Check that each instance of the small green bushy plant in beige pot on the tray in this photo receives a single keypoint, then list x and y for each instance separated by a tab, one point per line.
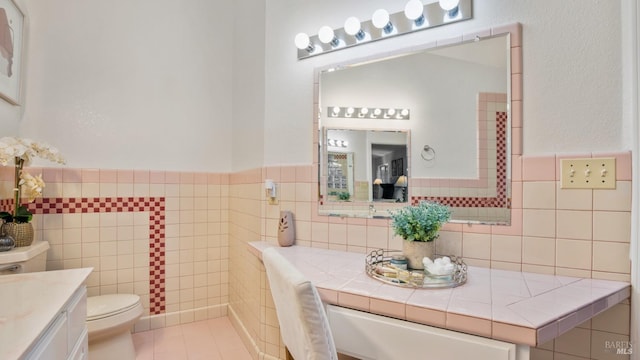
419	225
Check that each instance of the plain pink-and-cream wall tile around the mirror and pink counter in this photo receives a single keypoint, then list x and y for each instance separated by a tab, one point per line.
582	233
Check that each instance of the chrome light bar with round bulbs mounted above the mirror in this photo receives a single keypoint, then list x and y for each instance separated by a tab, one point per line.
407	21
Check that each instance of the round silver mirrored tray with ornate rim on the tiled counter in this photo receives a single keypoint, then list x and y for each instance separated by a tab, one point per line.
378	266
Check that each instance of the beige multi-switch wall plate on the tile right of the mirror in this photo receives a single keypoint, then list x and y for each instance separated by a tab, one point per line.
593	173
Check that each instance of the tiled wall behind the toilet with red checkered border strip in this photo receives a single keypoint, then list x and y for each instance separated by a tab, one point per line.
161	235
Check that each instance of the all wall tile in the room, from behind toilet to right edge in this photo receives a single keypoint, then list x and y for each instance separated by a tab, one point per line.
112	220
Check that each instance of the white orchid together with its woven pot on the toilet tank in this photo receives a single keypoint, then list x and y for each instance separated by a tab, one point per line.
19	151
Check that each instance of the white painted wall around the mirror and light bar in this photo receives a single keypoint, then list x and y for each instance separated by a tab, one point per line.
572	71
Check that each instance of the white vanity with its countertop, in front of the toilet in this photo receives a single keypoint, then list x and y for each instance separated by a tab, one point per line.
45	315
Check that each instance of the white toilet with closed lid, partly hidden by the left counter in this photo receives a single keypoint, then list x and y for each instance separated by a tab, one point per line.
109	317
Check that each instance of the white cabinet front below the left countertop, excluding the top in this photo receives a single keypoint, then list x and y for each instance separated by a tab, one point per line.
66	335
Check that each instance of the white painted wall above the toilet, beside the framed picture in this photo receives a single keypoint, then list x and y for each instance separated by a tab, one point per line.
130	84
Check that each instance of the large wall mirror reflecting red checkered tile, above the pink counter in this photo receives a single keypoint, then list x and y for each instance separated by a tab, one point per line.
458	131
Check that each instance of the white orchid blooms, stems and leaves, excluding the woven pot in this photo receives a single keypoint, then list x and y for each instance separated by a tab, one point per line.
21	151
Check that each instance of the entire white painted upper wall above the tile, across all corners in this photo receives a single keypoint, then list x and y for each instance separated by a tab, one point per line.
148	84
